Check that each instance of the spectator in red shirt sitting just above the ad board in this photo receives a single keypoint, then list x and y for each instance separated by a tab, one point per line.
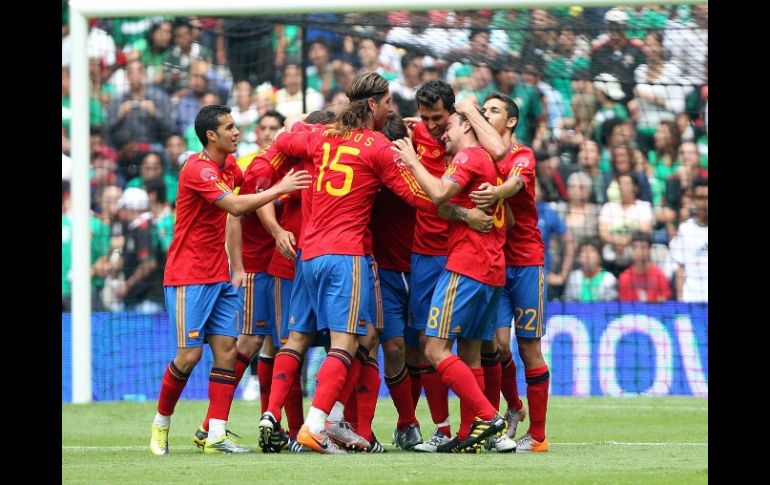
643	280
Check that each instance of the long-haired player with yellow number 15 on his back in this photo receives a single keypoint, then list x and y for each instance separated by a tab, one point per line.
352	161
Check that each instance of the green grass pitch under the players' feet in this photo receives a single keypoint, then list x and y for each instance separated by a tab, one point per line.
593	440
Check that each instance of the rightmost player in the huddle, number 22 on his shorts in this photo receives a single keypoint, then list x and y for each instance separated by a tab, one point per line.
524	295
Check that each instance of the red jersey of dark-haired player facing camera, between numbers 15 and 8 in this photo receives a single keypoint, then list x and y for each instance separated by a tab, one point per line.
430	230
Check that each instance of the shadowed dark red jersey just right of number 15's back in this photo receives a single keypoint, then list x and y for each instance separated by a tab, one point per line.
393	230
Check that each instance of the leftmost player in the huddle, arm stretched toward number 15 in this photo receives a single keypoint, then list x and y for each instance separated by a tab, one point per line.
197	262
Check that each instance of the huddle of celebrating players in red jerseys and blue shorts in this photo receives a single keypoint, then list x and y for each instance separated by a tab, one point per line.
354	232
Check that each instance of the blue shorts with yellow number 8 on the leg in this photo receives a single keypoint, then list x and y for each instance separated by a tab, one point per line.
462	308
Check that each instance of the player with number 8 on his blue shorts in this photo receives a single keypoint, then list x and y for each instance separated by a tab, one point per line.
464	302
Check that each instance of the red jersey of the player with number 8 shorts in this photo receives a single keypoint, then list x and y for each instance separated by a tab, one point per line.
473	254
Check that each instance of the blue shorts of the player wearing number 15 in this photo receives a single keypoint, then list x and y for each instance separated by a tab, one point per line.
340	291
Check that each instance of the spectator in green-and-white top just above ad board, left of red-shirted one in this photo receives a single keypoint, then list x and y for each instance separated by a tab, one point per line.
590	282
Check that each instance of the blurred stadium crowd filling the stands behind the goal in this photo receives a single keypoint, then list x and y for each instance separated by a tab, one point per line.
614	103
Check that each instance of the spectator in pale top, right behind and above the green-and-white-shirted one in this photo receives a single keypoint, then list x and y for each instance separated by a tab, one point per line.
579	214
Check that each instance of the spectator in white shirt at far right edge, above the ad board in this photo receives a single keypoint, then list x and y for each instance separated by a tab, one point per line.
689	249
